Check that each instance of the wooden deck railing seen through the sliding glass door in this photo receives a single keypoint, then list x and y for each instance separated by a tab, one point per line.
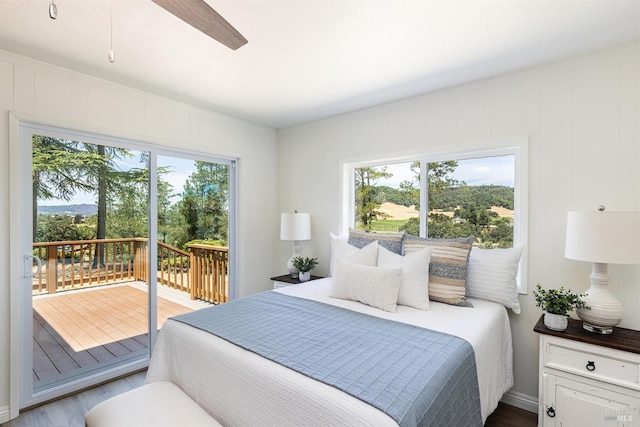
68	265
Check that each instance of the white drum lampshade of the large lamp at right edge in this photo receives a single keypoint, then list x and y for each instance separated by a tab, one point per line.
604	237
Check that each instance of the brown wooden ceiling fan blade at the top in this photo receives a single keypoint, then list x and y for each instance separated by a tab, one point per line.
201	16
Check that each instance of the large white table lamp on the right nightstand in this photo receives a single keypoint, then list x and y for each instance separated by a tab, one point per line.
602	238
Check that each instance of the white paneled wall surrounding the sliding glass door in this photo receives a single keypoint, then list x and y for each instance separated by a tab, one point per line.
47	94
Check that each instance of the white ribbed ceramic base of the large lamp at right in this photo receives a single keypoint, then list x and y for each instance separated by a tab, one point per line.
606	311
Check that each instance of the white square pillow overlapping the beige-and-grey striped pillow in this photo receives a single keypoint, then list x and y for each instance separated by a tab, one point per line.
414	289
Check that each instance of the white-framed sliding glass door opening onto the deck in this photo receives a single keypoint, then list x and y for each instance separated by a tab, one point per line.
94	289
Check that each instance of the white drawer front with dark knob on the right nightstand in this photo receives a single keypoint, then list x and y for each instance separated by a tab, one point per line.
592	362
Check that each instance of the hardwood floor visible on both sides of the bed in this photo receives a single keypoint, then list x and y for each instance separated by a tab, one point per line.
69	412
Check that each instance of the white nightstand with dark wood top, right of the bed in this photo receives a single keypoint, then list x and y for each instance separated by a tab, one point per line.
588	379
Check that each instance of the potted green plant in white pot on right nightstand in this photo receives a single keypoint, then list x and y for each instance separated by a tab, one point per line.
557	303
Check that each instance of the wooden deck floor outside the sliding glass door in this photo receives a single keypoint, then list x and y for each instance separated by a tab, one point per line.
75	332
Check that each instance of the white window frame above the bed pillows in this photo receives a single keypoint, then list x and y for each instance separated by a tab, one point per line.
518	146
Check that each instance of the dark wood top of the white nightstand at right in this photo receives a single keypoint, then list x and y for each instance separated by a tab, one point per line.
621	338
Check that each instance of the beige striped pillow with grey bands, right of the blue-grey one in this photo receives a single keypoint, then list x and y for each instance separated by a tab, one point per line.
447	269
